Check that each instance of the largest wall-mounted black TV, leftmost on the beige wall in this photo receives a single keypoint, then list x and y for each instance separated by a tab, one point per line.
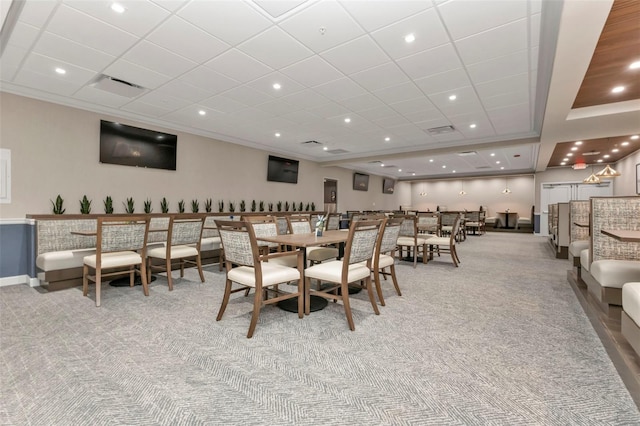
132	146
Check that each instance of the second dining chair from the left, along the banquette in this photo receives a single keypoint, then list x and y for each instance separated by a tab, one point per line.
183	245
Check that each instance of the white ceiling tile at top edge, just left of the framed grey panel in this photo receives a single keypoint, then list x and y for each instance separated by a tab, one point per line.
215	17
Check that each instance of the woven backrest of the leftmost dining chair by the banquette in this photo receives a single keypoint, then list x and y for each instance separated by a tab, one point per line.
116	234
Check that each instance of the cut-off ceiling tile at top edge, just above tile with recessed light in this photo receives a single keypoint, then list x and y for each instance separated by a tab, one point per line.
376	14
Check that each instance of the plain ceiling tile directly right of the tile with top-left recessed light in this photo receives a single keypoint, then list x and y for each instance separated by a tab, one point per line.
200	47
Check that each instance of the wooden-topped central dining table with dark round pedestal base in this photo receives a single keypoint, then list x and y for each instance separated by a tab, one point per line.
303	241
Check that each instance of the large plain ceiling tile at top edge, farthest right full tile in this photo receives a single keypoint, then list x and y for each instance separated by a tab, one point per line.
464	18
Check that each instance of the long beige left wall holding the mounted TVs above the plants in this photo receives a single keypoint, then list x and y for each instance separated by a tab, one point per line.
55	150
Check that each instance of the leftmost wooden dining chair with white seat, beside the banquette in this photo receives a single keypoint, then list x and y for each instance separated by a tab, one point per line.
120	247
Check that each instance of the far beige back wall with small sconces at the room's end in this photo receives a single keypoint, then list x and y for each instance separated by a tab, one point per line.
480	191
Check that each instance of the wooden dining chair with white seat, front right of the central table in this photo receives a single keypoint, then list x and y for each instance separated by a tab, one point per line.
354	267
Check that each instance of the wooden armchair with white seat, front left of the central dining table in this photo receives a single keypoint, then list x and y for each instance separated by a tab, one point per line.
248	267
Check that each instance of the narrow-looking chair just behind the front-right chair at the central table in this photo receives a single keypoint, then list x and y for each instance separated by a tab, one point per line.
384	255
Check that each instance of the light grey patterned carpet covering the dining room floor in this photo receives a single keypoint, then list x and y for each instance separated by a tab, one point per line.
501	340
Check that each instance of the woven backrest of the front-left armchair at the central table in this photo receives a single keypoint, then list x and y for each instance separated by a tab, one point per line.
236	243
